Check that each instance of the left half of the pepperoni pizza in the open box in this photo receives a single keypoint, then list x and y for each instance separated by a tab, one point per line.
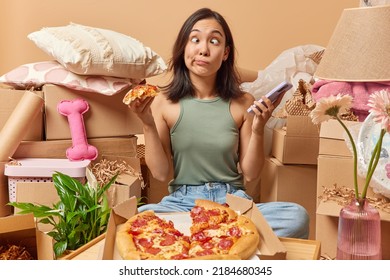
146	236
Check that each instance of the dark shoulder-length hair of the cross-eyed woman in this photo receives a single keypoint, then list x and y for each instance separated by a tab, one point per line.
227	83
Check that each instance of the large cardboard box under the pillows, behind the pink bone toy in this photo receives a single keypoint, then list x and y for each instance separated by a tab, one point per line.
107	115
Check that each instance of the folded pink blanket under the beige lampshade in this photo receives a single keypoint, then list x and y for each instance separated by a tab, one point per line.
360	91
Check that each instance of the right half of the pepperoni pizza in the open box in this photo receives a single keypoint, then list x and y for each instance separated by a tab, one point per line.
219	231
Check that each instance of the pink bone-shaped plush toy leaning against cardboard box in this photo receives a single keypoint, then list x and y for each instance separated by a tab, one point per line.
74	110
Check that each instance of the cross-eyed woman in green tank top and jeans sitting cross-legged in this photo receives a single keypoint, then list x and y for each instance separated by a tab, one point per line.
199	127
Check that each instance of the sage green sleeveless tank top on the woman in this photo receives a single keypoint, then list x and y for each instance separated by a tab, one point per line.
205	142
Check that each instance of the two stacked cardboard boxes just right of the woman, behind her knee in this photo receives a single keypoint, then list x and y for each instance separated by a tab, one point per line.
290	173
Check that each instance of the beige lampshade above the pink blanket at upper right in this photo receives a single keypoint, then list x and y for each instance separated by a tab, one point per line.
359	49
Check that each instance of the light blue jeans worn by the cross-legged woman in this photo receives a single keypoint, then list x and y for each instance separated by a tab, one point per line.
287	219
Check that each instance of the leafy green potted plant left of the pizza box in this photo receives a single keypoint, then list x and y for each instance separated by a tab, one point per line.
78	217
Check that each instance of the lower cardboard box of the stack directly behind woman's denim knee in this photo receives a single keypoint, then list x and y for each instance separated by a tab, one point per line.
290	183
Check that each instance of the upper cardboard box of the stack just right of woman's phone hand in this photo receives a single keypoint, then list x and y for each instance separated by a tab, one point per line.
297	142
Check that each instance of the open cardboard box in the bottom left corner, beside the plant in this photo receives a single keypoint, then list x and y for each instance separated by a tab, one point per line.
19	230
